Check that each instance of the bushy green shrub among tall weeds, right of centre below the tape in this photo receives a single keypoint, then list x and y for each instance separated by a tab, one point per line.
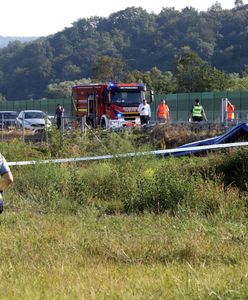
163	189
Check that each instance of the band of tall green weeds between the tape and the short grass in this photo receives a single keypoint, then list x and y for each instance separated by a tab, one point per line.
137	185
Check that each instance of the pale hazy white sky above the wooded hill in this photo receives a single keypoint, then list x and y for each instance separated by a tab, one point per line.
44	17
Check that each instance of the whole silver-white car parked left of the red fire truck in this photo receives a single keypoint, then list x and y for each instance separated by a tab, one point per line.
32	120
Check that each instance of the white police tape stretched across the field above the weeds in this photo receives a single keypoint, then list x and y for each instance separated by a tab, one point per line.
155	152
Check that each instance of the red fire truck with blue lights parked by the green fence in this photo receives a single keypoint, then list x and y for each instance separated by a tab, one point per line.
110	105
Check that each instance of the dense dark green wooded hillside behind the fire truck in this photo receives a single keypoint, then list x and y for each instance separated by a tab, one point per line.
173	51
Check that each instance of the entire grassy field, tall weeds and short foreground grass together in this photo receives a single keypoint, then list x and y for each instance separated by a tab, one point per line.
142	228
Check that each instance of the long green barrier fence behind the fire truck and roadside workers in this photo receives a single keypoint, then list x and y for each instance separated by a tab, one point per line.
179	104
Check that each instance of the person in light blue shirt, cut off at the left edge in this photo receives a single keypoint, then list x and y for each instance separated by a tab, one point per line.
6	179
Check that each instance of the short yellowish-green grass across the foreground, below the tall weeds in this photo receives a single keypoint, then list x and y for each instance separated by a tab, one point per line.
85	256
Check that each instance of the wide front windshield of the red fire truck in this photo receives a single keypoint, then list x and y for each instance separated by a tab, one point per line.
124	98
